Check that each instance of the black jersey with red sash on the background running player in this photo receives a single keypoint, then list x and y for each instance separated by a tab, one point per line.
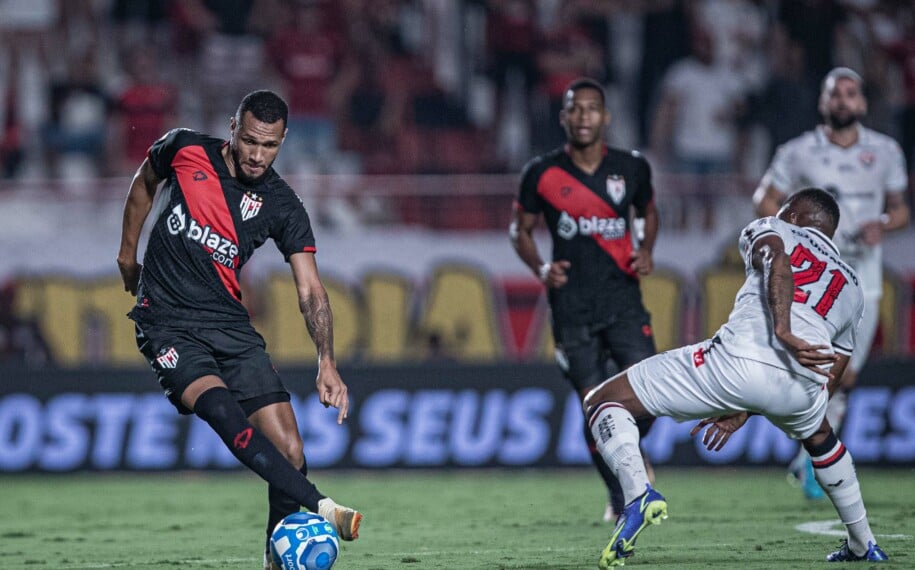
588	218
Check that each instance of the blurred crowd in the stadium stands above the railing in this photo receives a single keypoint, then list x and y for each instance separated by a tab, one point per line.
432	86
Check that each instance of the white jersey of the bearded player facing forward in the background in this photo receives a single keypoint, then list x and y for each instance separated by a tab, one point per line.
859	176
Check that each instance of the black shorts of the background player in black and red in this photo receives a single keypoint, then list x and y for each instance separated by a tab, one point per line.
589	354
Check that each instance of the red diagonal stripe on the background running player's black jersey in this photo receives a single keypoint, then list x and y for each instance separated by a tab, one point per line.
582	202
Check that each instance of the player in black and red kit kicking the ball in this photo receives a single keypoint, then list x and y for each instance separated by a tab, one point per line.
222	201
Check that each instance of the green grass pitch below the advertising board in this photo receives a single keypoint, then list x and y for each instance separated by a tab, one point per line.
719	518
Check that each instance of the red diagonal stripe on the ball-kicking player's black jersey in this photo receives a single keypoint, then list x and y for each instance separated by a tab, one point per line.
207	205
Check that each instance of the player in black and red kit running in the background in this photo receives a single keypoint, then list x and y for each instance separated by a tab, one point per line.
585	191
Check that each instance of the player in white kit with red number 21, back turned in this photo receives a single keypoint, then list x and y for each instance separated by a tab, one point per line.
781	354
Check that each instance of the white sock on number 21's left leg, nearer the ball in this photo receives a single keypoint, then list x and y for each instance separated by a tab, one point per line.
617	439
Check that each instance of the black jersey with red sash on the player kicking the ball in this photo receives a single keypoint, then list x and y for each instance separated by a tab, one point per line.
209	227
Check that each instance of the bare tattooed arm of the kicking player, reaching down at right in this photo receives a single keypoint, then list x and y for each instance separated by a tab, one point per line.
315	308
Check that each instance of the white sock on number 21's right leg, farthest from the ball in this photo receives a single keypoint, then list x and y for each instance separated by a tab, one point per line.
835	472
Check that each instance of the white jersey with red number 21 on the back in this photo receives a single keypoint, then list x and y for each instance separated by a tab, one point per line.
828	301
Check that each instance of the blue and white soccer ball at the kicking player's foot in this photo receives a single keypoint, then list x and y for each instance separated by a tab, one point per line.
304	541
